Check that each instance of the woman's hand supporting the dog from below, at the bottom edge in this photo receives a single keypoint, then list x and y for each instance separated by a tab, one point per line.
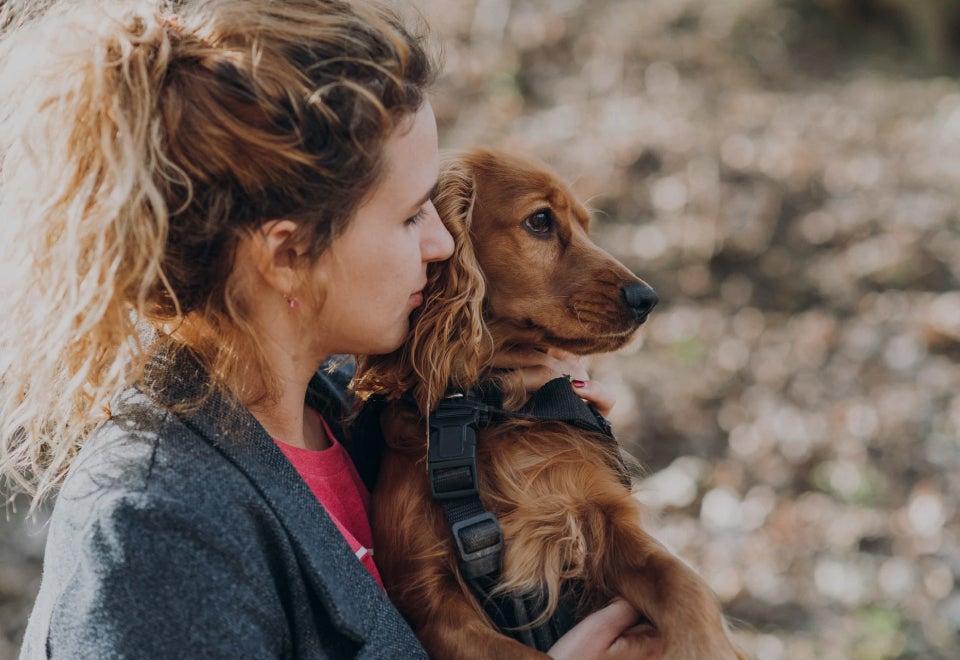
612	632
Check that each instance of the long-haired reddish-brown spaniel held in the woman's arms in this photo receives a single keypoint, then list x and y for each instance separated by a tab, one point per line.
524	275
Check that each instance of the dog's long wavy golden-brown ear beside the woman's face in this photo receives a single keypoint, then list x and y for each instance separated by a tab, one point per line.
449	345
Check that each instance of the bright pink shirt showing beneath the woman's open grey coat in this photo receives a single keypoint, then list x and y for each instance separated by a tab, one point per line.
332	477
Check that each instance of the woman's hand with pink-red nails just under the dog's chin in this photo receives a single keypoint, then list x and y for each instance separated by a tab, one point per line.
536	368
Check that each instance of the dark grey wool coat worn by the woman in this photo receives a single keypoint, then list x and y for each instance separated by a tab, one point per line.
189	535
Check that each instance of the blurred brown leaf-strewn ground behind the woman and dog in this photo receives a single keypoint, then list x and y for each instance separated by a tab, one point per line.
785	173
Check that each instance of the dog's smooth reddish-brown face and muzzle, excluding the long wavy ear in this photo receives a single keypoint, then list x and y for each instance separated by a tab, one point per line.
547	283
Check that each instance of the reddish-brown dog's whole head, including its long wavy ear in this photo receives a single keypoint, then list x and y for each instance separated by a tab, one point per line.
524	274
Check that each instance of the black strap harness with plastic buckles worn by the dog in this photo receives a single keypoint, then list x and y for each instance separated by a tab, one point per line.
452	472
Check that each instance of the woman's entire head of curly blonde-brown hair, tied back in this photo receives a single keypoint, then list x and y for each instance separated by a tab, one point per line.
136	148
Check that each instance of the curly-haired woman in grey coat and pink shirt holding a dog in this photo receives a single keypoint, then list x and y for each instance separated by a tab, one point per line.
199	209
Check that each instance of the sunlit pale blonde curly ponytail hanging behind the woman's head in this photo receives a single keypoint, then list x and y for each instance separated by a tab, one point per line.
83	226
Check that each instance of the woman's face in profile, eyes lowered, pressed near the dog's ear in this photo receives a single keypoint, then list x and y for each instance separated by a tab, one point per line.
373	273
